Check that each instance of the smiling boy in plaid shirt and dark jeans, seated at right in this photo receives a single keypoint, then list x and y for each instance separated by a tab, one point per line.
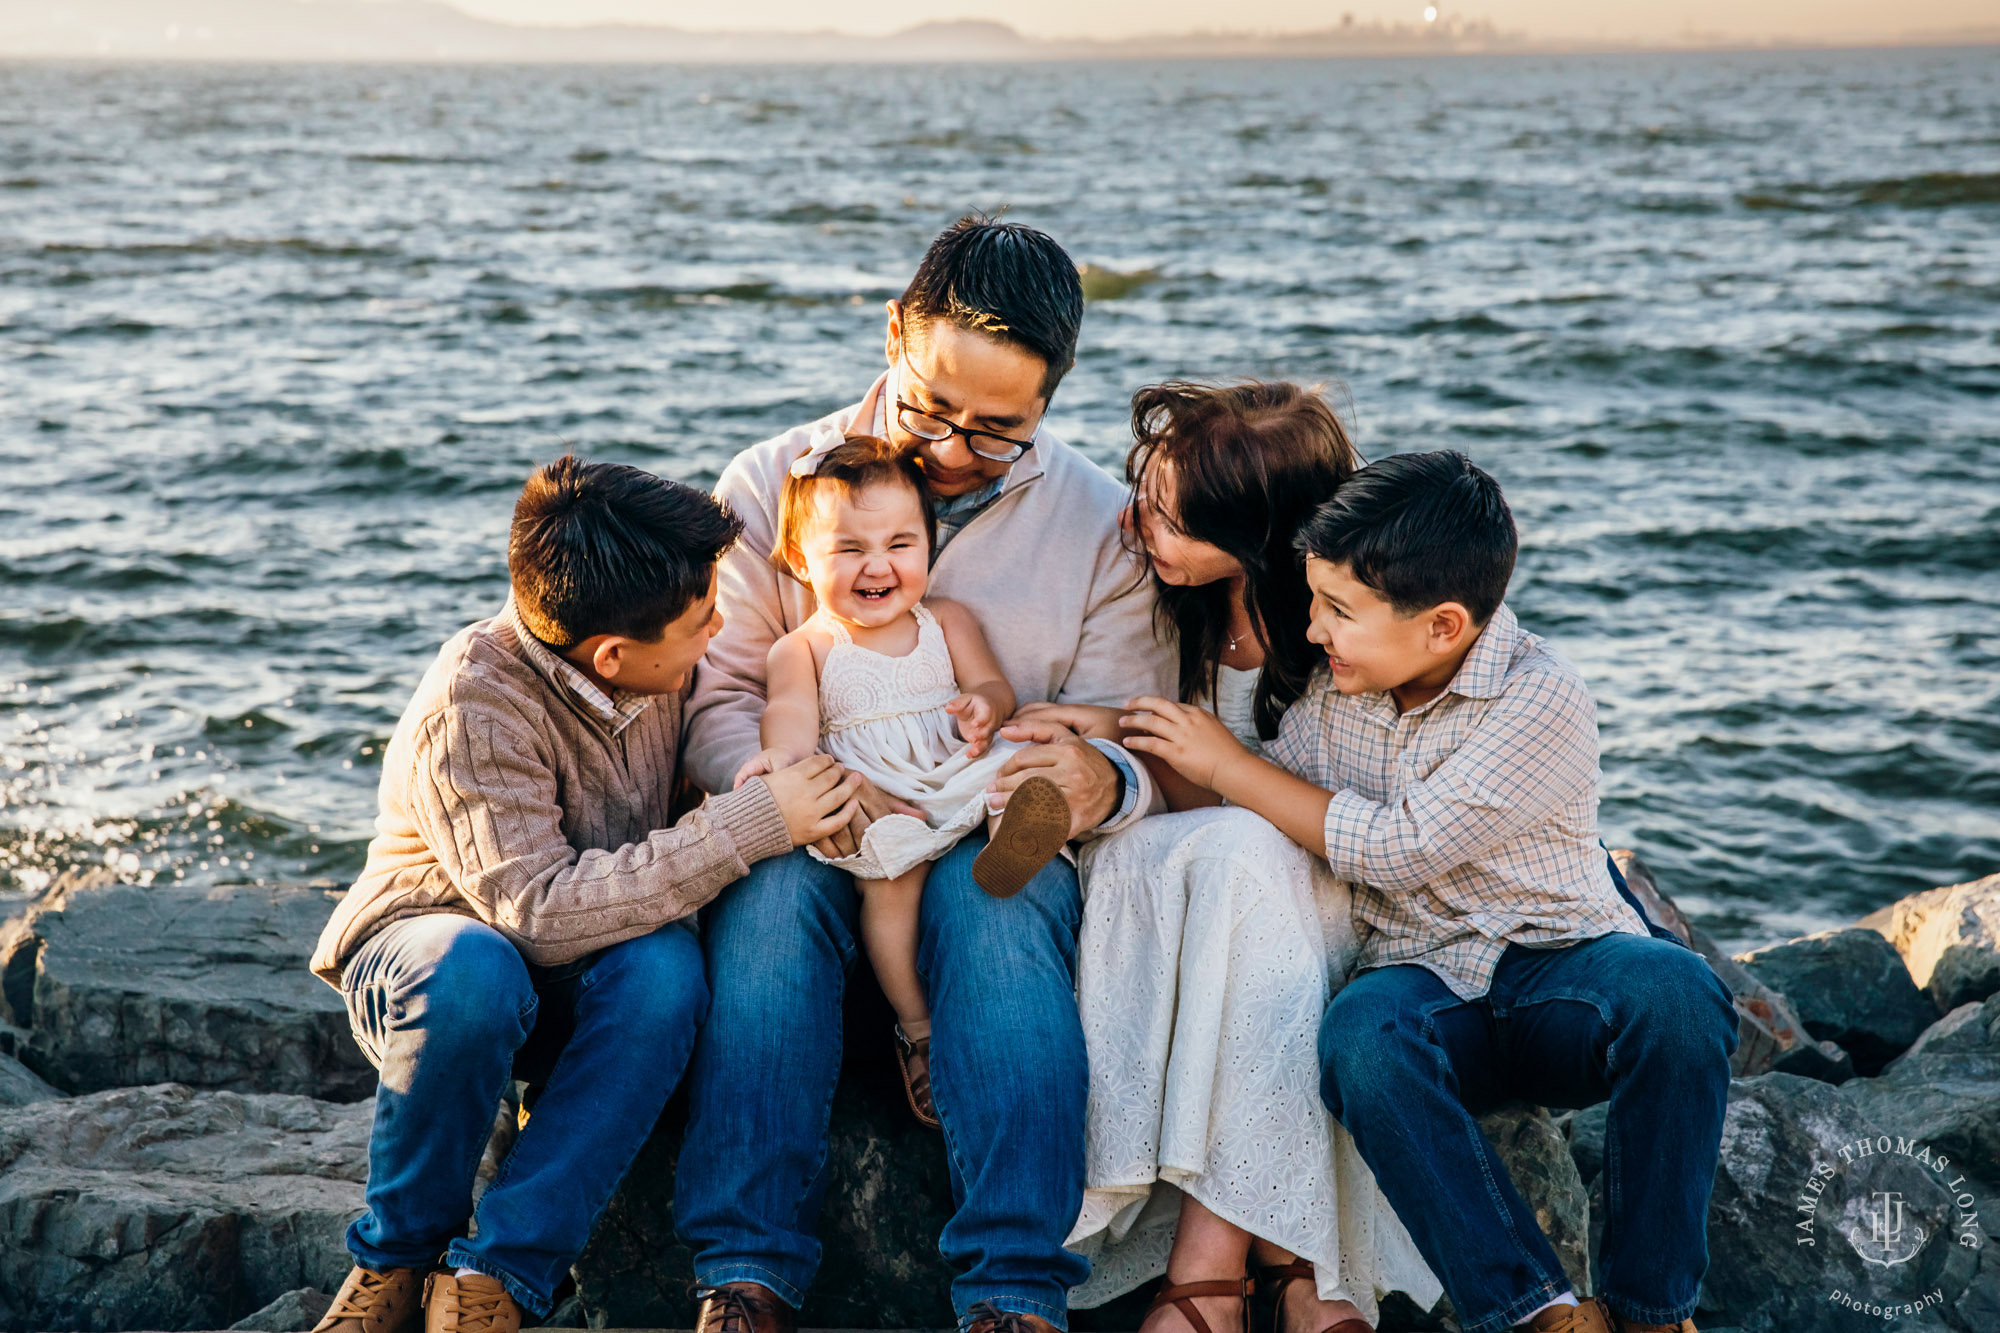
1447	764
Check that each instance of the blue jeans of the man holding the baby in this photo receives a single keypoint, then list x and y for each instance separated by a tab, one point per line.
1007	1074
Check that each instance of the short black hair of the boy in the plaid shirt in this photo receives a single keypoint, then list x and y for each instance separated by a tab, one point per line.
1421	529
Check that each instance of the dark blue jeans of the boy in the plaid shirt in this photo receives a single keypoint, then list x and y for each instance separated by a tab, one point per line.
1407	1066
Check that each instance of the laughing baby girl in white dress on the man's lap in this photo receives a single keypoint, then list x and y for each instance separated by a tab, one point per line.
907	694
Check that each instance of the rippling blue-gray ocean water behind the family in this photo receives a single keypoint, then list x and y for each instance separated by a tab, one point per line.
279	345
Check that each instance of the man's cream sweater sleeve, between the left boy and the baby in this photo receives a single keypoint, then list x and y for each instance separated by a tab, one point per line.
729	686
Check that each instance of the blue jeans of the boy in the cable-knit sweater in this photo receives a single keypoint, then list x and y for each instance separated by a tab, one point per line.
449	1014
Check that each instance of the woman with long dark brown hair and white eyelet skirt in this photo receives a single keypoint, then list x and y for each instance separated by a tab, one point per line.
1211	942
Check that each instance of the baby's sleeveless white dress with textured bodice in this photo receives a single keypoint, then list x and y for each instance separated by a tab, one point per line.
885	720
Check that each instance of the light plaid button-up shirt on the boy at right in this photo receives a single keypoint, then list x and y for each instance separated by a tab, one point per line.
1471	822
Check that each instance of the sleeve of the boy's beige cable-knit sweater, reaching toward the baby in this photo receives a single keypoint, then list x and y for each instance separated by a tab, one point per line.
487	806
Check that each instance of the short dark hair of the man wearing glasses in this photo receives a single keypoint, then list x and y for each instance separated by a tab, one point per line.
1007	281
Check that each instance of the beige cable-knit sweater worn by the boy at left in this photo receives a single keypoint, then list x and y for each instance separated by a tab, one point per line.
507	800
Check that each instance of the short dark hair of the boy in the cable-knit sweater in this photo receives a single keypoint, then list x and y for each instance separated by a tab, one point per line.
605	549
